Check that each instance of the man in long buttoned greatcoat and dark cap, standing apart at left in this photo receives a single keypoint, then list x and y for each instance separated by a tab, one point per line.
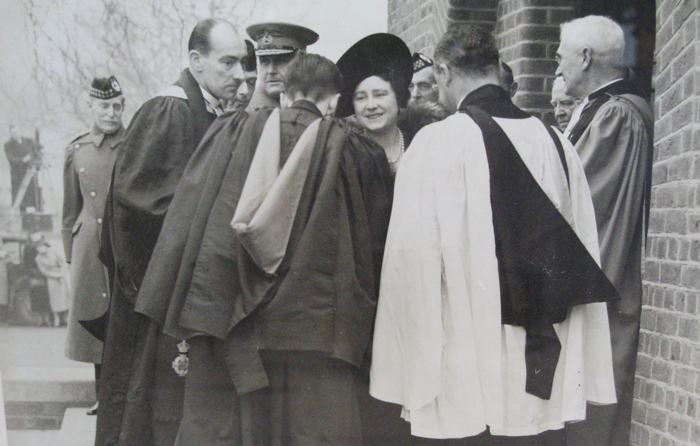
87	170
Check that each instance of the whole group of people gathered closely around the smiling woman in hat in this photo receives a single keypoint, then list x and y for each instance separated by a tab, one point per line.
379	251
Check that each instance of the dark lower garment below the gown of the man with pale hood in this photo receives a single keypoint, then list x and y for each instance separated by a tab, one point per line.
310	401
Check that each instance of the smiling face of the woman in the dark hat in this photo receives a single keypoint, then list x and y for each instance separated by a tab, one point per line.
376	105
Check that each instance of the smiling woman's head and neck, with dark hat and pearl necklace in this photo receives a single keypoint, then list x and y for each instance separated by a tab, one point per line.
376	73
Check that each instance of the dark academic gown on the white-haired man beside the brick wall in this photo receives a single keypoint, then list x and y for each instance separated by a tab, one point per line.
615	143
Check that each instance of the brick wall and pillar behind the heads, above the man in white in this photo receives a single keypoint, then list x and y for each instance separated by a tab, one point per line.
527	33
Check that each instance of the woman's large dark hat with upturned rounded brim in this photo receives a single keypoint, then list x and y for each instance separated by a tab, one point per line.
373	55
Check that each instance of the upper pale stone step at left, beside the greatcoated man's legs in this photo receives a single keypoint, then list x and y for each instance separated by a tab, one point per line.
37	397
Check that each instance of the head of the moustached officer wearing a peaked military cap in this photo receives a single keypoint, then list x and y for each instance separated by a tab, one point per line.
277	44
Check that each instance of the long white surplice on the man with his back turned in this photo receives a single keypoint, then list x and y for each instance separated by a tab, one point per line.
440	349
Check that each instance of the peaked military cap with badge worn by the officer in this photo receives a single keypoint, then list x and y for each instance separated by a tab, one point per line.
276	38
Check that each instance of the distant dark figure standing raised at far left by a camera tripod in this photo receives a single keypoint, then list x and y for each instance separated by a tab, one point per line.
21	152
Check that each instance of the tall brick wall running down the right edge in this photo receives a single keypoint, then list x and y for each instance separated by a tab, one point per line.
667	391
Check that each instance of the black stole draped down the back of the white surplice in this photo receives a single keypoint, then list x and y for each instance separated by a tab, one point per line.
543	266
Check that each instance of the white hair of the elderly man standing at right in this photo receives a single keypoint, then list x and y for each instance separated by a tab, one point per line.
601	35
